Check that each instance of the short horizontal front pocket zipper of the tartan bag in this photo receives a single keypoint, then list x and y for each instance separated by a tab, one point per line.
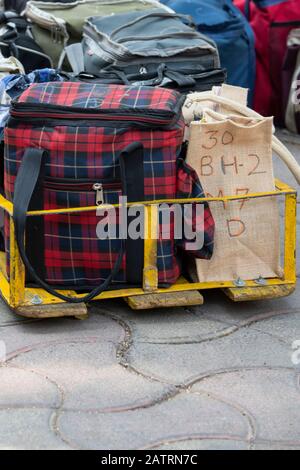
65	185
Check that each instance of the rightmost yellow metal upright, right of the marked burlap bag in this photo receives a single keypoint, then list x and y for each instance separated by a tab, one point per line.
290	268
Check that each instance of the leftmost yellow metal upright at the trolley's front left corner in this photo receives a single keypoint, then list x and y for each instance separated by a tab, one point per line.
17	271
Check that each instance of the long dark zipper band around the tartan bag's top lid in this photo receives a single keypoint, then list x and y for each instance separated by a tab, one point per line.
38	110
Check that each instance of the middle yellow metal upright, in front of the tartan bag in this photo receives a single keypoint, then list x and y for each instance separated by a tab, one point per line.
150	272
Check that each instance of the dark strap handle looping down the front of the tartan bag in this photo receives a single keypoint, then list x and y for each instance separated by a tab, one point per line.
26	182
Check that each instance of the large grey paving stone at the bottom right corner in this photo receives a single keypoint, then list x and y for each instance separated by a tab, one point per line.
270	396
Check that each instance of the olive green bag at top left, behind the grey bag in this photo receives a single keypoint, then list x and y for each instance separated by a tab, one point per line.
56	25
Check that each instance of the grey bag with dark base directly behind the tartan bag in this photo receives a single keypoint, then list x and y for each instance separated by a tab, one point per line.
151	48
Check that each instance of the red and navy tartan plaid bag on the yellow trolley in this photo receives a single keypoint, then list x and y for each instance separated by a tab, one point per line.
80	144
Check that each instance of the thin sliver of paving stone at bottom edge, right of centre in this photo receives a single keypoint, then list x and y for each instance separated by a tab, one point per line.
204	444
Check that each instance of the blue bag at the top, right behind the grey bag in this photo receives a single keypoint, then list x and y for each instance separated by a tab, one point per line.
224	23
